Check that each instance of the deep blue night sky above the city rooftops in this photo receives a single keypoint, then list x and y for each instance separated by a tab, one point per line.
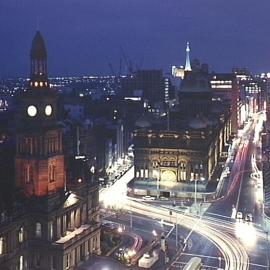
83	36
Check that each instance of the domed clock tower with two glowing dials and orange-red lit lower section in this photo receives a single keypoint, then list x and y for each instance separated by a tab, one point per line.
39	159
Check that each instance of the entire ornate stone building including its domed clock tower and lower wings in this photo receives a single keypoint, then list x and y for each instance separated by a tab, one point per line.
54	223
